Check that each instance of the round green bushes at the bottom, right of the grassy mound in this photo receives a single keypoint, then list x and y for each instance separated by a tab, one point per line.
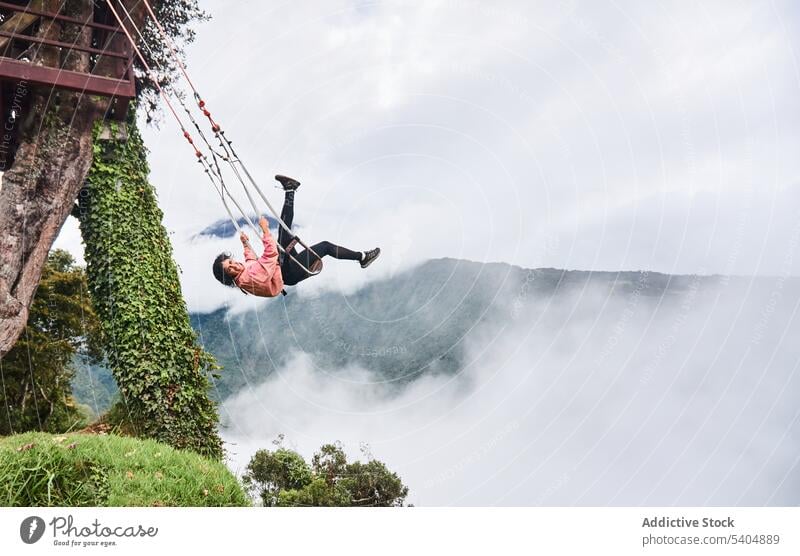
283	478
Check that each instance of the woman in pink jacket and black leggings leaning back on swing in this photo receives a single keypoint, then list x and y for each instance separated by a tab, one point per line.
266	276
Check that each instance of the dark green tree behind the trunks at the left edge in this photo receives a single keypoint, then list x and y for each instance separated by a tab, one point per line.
36	393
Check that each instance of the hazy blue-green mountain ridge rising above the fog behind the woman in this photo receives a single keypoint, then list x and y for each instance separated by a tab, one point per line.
414	323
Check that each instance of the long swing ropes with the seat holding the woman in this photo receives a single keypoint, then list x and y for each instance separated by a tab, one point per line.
230	156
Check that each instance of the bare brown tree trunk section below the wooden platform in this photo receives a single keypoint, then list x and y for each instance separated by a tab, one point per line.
37	194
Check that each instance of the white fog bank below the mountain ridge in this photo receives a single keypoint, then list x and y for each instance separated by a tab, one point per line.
584	399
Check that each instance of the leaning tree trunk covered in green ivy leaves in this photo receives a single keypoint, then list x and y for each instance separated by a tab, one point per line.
162	373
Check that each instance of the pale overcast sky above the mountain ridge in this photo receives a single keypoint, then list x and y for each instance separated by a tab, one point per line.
584	135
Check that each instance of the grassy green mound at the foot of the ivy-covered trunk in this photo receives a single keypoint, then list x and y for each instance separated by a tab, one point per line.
40	469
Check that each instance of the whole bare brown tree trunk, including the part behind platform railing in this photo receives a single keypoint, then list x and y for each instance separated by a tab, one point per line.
53	157
